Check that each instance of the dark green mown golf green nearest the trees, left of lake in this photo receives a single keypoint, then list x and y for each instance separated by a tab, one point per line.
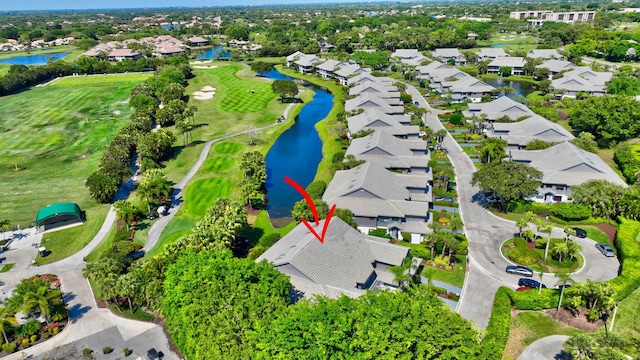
201	194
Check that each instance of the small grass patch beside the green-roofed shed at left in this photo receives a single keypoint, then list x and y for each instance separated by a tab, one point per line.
66	242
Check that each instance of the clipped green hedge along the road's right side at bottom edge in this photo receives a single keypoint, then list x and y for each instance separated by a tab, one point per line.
497	331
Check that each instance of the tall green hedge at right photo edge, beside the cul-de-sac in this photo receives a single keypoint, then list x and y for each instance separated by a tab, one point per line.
629	254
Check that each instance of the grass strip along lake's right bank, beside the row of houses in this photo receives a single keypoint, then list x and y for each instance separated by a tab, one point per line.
330	145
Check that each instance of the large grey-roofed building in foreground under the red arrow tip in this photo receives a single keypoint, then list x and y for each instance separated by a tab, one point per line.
346	263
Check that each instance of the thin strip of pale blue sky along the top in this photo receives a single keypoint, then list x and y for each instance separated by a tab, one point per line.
114	4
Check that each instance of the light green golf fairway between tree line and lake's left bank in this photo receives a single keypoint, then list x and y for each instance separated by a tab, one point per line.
233	109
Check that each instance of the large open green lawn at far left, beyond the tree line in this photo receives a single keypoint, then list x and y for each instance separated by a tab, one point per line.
52	137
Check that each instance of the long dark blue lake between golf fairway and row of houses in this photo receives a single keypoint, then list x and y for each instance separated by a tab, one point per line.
296	153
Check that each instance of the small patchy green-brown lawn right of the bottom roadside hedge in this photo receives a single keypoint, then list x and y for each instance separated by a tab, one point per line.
529	326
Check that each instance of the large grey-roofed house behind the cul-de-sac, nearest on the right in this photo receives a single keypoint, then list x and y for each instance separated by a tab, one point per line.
564	165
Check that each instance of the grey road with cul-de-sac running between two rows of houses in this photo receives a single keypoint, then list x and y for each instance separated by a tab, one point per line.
486	232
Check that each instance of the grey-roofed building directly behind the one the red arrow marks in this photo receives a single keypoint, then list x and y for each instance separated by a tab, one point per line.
380	198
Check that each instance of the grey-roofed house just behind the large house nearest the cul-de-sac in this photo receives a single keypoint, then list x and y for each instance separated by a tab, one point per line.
519	134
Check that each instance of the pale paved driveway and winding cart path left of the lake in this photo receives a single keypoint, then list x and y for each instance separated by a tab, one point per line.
89	325
